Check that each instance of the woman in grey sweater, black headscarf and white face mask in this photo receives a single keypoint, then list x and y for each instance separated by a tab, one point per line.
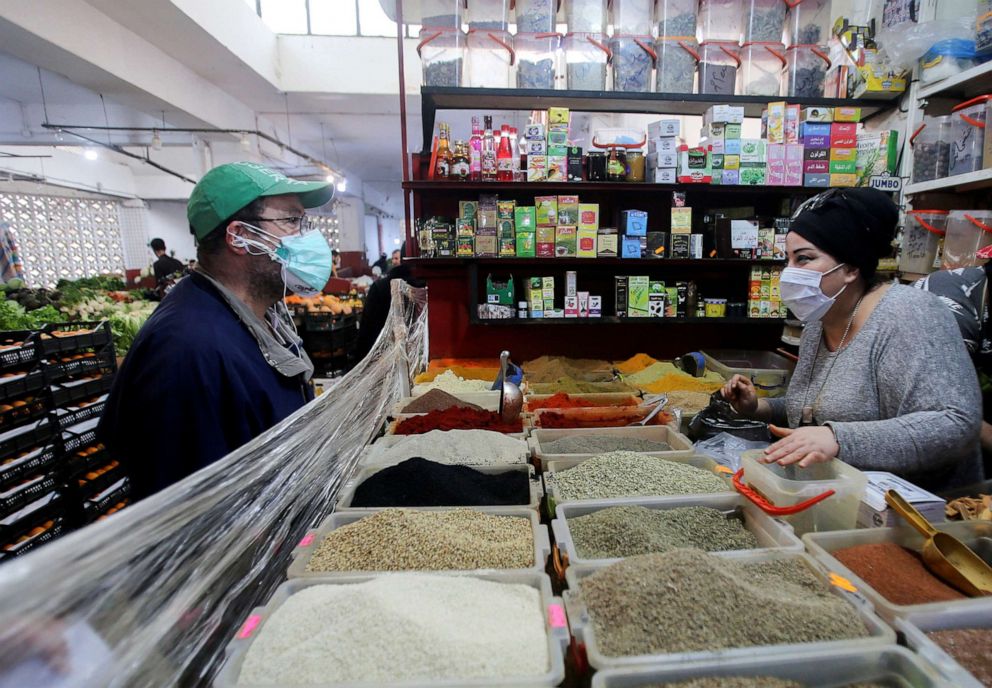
884	381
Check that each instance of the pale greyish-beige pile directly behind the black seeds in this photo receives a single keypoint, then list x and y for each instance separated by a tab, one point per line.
473	447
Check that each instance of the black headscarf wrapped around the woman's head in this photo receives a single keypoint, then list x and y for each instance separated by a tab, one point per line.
855	226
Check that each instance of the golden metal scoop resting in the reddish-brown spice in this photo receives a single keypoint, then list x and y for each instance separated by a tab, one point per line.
947	557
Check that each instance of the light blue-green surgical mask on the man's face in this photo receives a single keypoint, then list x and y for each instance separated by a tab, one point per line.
305	258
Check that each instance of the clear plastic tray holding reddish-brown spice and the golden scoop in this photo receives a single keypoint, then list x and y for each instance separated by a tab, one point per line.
822	545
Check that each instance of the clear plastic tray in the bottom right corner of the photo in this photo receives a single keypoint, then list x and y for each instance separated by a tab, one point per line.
915	627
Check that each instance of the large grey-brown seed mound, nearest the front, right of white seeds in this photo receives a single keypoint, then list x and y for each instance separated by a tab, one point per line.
687	600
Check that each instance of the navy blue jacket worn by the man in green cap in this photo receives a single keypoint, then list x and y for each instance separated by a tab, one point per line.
194	387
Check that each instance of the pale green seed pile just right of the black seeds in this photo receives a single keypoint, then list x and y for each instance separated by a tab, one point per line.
626	474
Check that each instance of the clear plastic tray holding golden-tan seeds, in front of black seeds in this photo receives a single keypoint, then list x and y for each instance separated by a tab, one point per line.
311	541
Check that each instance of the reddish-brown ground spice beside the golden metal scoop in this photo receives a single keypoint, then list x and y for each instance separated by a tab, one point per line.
896	573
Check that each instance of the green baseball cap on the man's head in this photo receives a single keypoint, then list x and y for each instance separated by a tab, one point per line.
226	189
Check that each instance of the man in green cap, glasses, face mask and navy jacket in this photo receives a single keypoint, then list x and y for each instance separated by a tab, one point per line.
219	362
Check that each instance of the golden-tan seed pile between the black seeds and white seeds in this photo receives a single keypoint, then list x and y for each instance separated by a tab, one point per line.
403	540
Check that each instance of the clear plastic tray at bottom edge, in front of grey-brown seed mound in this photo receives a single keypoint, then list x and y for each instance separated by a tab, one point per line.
895	666
